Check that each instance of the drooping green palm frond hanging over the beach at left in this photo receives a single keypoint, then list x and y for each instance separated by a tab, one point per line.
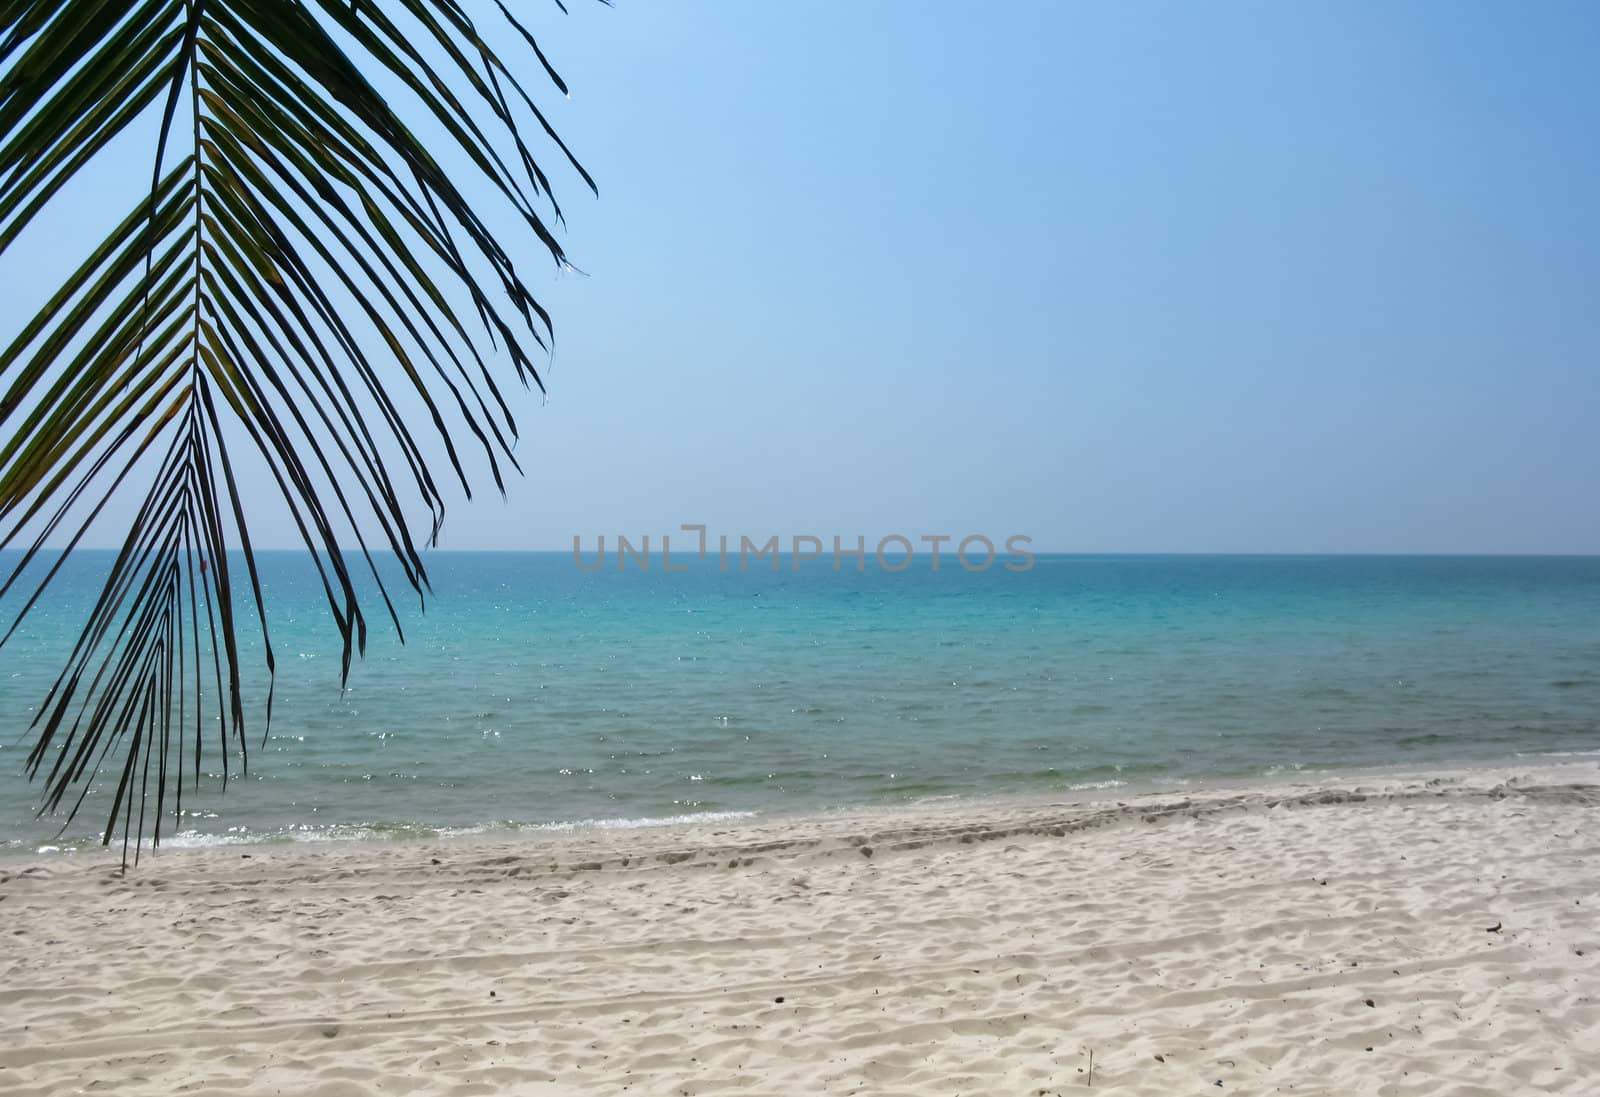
298	276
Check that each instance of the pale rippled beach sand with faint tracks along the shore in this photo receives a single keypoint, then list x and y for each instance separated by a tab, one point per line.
1391	935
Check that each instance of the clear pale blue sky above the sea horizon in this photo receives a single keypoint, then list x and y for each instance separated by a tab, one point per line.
1142	277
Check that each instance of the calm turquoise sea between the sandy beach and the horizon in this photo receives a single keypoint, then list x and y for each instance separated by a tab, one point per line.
537	695
